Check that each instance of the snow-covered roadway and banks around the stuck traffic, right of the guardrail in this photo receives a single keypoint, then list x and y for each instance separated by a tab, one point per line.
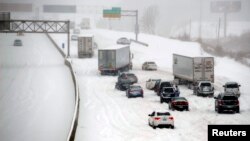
107	115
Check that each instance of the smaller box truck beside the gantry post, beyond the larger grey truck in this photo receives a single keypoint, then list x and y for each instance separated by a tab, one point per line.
85	46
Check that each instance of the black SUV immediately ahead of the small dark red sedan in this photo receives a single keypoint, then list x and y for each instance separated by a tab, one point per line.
167	93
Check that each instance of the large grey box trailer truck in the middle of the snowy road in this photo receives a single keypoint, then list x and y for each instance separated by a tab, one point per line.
114	59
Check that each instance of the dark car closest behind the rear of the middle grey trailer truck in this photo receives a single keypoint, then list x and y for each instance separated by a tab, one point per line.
127	77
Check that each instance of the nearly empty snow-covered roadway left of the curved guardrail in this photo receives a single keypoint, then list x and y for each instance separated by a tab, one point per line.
36	90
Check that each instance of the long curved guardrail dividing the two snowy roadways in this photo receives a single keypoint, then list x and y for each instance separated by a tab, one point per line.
74	123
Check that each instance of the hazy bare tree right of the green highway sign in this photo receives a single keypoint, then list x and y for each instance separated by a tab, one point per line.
149	19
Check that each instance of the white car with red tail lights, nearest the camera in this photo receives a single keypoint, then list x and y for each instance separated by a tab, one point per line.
161	119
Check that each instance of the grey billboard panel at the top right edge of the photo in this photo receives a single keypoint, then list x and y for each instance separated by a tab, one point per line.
225	6
